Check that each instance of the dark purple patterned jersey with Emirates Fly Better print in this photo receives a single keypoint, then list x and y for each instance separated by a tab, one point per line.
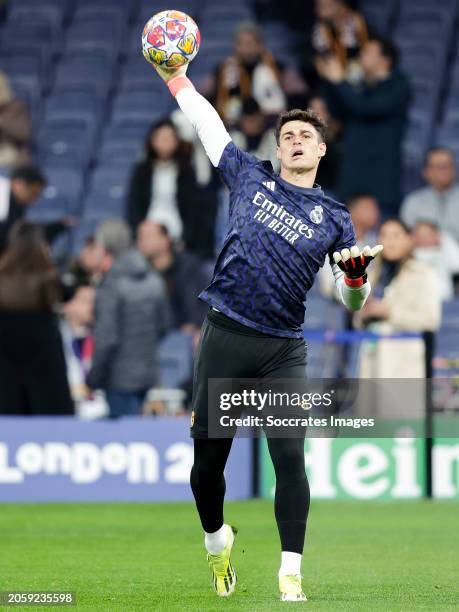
279	236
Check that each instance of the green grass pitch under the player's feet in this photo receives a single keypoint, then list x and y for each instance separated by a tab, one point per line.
359	556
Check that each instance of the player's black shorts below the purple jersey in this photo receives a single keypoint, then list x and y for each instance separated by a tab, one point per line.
229	349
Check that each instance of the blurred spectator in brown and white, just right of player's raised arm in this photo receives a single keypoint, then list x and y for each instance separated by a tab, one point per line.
250	72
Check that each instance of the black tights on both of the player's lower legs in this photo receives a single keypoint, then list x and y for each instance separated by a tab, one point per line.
291	503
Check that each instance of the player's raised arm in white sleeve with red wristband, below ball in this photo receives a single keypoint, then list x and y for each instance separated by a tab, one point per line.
202	115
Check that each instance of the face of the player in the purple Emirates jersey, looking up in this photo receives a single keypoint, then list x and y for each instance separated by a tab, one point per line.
299	147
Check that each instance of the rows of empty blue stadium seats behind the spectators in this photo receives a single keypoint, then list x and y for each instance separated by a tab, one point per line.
92	97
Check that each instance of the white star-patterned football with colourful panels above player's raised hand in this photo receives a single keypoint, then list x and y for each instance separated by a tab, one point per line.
170	39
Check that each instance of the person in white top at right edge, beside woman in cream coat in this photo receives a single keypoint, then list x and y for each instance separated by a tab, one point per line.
440	251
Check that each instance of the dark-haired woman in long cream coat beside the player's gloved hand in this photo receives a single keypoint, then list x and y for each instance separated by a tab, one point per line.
405	298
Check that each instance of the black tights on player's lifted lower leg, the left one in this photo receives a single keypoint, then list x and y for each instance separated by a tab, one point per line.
208	482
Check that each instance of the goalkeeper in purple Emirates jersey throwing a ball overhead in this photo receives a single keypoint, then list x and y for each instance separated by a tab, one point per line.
281	229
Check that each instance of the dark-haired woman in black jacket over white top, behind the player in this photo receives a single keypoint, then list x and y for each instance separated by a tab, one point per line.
164	188
